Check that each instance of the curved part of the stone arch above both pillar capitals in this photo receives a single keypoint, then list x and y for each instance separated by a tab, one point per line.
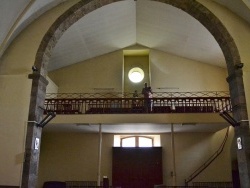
192	7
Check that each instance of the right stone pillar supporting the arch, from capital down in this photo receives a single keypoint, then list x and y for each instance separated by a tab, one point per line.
238	99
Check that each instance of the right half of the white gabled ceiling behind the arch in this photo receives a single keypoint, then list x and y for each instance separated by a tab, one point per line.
169	29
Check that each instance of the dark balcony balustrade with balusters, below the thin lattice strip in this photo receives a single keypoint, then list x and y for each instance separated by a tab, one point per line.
137	105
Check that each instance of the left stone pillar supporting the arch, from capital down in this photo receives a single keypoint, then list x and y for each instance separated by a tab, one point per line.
33	135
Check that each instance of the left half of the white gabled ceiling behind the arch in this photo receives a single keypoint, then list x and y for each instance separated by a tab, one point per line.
107	29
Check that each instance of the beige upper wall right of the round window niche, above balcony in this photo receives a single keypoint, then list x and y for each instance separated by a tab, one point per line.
175	72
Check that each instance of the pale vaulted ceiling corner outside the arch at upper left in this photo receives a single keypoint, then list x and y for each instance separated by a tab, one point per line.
18	14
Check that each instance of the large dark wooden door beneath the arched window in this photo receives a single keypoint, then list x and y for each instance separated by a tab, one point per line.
137	167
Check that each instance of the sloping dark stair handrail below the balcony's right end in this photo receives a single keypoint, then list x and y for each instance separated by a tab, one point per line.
209	161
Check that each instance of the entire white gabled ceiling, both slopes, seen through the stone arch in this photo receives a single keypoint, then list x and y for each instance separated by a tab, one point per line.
151	24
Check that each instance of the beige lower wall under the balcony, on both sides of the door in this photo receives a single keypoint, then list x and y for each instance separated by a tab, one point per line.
74	156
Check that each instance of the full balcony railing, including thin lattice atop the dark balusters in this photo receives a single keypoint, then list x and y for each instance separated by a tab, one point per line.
118	103
